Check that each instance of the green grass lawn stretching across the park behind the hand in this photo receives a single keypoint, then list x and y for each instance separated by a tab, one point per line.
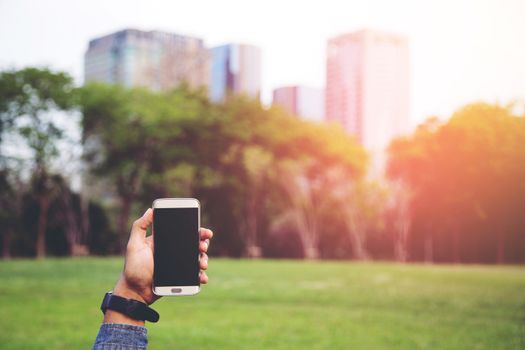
54	304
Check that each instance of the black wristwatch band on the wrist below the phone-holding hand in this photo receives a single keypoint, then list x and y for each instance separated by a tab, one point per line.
133	308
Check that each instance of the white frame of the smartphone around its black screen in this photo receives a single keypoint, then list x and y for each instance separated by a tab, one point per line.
177	203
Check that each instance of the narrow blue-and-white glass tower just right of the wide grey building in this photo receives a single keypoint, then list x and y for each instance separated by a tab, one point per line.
235	69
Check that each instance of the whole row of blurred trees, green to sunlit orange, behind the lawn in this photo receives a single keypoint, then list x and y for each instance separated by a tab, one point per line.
270	184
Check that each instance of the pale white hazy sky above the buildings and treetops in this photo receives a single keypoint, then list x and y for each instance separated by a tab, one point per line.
461	51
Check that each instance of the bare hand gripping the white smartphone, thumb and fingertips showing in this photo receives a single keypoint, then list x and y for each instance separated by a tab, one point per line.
137	278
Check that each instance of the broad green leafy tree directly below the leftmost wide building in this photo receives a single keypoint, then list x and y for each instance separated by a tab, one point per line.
132	136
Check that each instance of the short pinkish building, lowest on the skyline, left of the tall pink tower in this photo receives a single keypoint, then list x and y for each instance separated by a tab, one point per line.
305	102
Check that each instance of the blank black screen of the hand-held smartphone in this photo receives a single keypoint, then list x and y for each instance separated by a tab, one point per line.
176	255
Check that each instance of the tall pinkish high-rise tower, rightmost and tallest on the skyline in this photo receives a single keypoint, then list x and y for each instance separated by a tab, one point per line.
367	86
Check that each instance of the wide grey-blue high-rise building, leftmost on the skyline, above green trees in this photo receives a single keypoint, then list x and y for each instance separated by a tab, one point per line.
153	59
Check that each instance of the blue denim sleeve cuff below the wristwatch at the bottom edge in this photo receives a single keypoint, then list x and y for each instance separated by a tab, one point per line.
113	336
